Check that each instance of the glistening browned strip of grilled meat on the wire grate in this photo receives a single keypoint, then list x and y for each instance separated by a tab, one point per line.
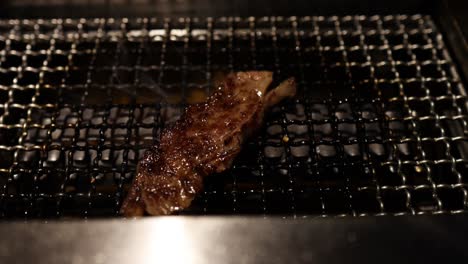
206	139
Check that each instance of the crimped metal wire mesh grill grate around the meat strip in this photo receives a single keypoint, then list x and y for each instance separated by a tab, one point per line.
379	126
